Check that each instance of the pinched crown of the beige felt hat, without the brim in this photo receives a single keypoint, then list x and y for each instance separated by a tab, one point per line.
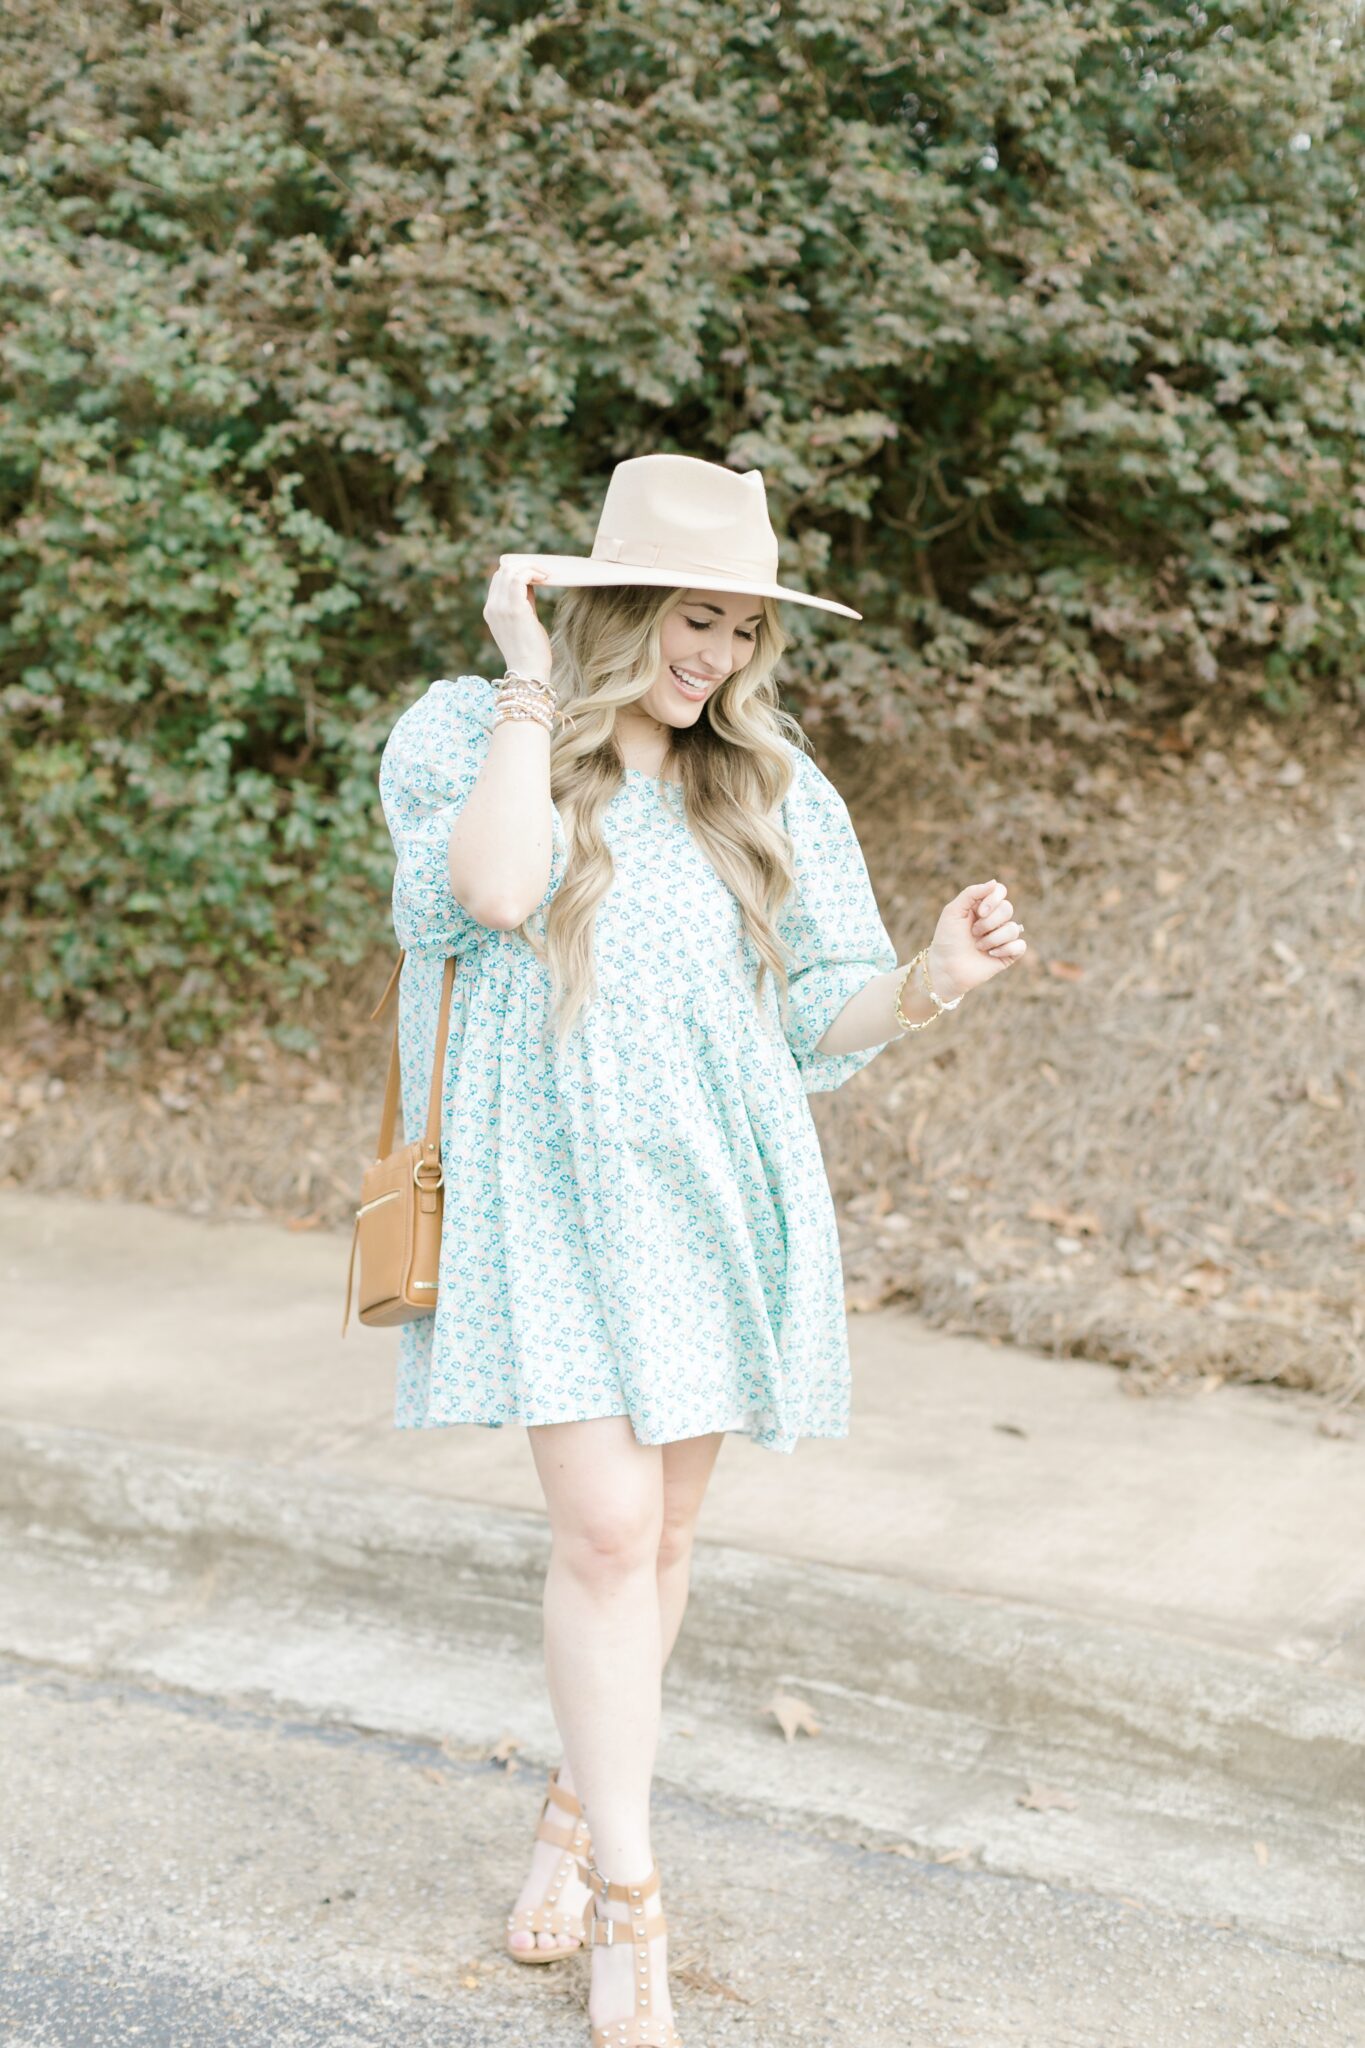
685	515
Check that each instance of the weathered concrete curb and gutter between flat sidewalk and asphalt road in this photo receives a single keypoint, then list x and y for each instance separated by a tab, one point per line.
1202	1779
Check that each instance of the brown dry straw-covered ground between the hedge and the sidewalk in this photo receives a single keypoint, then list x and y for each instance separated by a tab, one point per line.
1143	1144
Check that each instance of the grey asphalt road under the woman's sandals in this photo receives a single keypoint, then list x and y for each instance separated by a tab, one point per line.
189	1873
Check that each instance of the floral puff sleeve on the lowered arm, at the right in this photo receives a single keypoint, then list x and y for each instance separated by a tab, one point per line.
832	927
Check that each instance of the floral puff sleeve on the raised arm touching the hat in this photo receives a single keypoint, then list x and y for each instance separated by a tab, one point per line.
427	773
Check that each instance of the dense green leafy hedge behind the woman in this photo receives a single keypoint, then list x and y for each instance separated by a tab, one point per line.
1043	321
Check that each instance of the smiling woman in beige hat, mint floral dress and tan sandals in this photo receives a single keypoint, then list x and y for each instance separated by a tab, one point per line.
666	939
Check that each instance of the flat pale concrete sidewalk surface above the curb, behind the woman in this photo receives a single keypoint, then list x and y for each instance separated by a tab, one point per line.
971	1469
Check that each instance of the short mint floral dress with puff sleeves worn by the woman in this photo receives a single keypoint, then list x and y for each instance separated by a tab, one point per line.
640	1224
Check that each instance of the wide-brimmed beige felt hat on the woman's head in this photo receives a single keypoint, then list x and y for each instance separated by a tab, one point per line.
687	525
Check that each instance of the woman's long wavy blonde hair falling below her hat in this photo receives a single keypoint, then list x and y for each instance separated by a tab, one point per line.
732	765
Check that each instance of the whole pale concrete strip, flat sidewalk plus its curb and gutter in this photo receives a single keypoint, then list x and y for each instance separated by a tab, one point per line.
1010	1576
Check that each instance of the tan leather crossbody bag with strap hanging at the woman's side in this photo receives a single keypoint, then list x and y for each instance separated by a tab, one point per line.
398	1224
